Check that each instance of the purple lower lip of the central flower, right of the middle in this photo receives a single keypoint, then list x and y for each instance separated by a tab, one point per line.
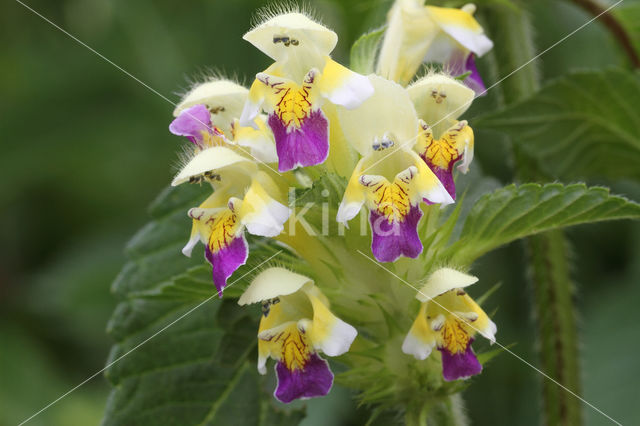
400	238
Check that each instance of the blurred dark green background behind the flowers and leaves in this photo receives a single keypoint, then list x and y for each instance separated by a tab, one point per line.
85	148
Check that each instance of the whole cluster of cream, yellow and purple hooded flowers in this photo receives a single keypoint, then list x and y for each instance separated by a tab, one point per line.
394	144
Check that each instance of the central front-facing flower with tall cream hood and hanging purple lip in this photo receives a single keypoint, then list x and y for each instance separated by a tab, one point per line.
390	179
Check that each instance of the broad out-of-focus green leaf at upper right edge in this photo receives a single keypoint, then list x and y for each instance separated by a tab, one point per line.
581	125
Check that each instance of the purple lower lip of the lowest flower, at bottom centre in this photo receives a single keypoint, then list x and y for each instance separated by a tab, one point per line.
314	380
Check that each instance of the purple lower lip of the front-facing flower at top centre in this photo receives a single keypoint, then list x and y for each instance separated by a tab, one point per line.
305	146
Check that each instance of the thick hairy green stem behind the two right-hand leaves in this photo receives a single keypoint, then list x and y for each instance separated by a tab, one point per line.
547	254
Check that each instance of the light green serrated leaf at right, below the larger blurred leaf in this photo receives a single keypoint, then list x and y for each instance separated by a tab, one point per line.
515	212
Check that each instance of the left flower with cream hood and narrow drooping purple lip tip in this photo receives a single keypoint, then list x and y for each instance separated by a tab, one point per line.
219	222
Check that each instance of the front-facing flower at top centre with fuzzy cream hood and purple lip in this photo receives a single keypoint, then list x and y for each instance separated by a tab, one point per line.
293	89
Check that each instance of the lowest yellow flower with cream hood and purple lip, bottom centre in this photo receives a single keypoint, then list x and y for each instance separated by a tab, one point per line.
296	323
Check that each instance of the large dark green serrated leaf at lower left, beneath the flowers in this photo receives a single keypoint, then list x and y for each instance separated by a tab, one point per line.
181	355
